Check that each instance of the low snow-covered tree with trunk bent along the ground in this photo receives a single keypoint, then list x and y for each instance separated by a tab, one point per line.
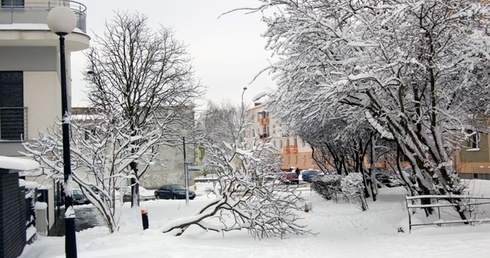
247	196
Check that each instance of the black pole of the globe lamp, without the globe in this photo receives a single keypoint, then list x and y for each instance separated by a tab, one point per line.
70	237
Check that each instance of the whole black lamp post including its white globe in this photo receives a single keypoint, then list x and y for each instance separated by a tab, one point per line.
62	21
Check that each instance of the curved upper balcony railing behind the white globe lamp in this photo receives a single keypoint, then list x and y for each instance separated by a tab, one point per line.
12	12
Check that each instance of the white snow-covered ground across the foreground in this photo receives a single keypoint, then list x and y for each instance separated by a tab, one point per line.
342	230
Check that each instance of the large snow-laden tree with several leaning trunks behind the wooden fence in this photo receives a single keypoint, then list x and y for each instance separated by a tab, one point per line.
416	71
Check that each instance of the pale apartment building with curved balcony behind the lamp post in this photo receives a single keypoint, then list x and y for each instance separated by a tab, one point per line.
30	75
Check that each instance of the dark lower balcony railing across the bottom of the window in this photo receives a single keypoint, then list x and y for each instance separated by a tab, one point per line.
13	123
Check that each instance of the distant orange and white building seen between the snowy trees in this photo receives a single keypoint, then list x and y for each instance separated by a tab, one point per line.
294	151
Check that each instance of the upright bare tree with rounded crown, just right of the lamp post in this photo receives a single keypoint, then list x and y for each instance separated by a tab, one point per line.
140	73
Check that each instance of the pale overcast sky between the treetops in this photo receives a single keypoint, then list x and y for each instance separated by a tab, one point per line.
227	52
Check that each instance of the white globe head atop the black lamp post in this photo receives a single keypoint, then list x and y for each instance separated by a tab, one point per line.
61	20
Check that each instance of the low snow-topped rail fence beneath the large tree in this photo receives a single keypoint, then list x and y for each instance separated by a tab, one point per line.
446	209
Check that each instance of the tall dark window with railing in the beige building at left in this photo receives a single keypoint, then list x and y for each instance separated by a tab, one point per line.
12	105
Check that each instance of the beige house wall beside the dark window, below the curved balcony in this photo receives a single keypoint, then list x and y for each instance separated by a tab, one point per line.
42	90
